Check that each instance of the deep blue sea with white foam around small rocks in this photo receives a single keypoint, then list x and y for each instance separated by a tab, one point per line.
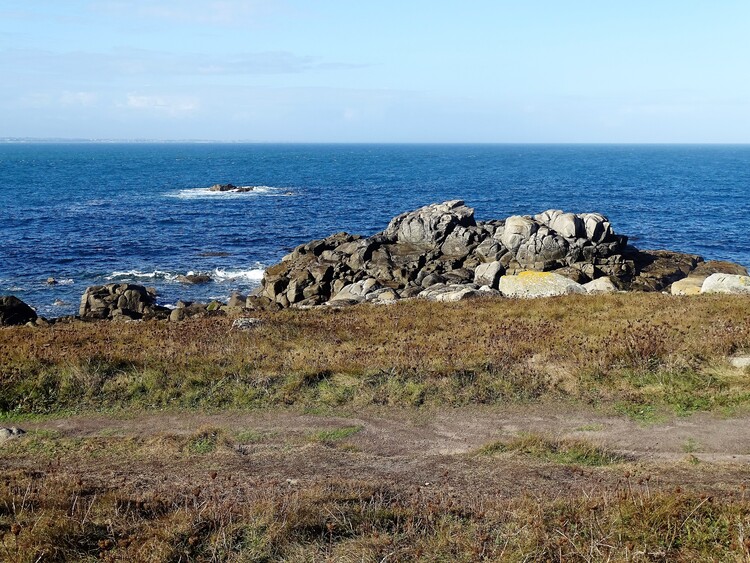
96	213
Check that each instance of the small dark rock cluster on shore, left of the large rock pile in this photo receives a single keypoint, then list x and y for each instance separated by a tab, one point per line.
120	301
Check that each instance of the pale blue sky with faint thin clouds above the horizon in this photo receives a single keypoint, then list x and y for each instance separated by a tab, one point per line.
469	71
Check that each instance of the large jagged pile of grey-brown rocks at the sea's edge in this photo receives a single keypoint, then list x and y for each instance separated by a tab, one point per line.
442	245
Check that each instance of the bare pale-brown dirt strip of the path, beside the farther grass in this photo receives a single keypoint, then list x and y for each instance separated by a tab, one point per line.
397	432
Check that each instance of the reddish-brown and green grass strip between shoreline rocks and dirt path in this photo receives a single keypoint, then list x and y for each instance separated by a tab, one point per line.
644	355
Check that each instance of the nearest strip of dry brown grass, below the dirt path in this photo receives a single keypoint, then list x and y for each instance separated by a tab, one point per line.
58	516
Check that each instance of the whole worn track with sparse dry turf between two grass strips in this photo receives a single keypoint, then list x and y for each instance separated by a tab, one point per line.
409	449
